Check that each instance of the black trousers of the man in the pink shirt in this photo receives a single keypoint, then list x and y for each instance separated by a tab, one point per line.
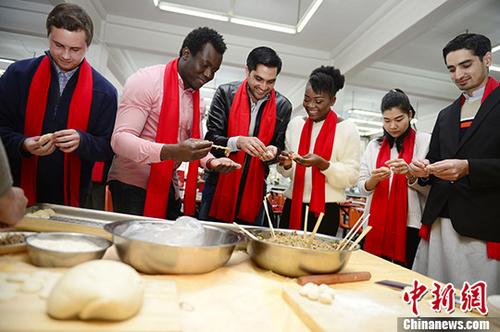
130	199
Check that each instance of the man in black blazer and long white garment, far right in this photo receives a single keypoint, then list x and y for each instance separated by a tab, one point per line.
461	219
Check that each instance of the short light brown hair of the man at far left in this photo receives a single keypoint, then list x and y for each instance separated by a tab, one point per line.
70	17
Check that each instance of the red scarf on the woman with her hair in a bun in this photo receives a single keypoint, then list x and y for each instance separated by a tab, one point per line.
323	148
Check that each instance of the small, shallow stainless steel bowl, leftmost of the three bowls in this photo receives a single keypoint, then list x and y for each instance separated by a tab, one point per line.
48	256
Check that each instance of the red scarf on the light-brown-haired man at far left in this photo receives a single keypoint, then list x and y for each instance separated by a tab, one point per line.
78	116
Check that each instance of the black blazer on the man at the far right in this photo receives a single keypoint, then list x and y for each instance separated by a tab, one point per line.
474	200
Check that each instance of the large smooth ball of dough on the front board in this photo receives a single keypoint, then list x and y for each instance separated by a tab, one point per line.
99	289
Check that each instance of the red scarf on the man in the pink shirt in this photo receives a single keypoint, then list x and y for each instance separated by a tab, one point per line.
167	133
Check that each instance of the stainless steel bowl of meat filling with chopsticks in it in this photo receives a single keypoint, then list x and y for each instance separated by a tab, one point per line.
295	262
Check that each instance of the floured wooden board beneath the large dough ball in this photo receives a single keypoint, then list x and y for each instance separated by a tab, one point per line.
26	312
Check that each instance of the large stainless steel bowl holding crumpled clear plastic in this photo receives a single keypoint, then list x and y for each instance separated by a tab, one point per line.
154	258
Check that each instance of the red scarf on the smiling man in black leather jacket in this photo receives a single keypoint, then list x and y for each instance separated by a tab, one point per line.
226	194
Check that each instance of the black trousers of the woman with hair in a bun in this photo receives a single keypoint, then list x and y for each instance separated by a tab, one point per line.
329	225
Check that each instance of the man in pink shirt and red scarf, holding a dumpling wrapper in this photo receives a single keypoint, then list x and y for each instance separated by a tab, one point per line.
158	126
